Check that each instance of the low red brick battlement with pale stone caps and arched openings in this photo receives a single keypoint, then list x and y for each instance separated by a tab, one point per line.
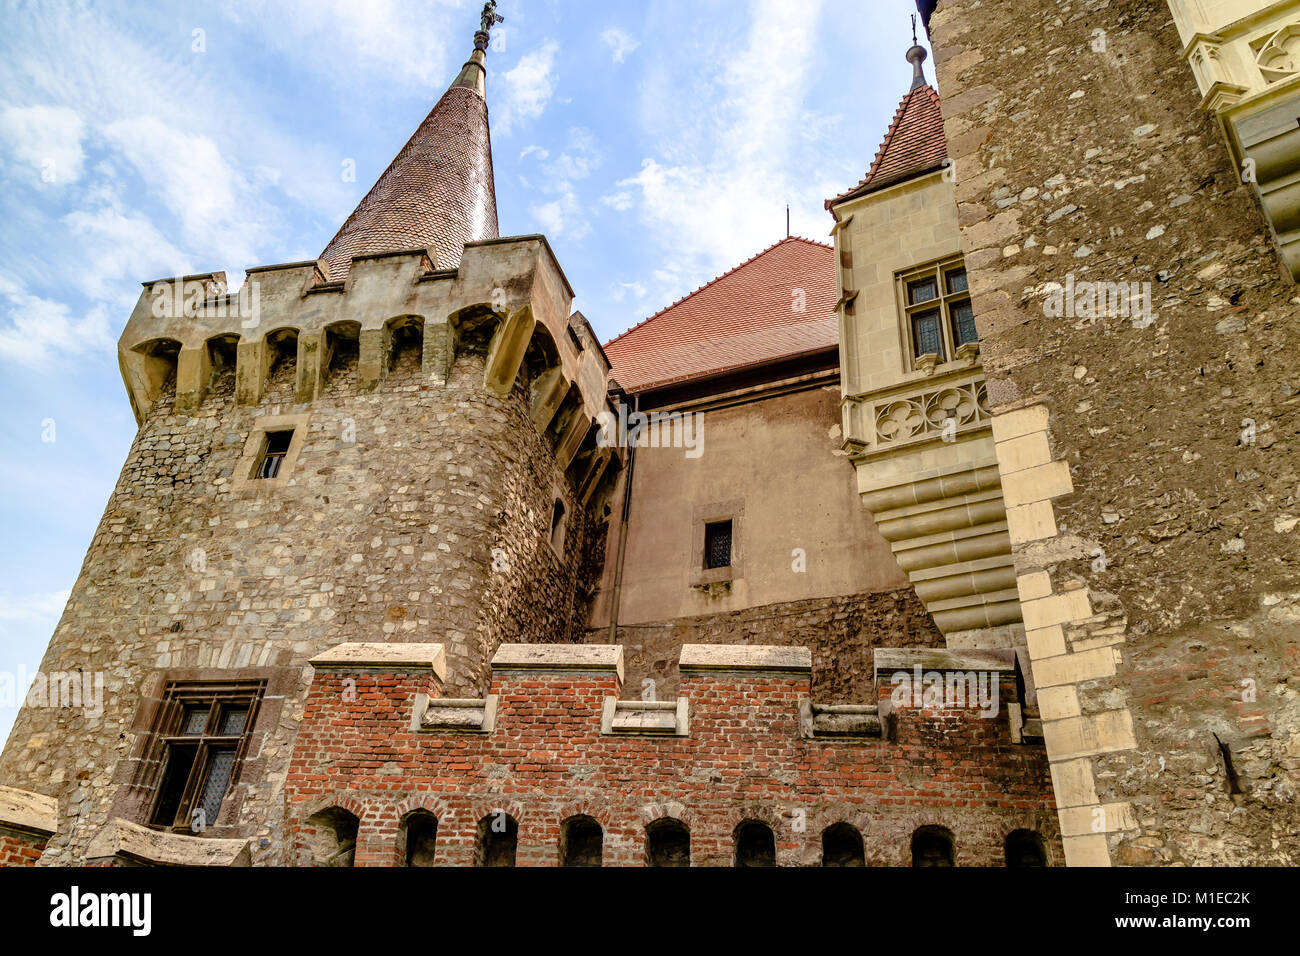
554	741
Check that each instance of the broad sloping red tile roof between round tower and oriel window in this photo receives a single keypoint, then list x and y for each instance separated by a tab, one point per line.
743	318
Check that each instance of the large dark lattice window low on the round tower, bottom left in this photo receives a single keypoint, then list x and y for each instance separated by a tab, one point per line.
203	730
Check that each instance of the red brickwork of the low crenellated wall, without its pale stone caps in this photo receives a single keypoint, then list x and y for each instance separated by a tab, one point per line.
743	759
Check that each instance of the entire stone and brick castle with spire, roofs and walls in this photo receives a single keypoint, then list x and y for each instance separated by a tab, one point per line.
944	544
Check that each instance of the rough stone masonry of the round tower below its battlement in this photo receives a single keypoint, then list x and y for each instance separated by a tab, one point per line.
388	538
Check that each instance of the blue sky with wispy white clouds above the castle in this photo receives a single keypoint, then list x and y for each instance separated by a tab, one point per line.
655	144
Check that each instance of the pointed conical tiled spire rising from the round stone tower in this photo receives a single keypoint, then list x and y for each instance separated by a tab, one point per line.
439	193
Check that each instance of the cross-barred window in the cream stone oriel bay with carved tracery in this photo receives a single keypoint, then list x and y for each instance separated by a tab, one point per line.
937	315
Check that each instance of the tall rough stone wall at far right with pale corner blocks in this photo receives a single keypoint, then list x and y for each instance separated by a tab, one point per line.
1150	470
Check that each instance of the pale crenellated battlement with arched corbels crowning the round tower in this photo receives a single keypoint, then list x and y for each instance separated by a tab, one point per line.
509	297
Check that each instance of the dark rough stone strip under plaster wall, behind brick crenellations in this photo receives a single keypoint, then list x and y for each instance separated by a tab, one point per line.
840	631
